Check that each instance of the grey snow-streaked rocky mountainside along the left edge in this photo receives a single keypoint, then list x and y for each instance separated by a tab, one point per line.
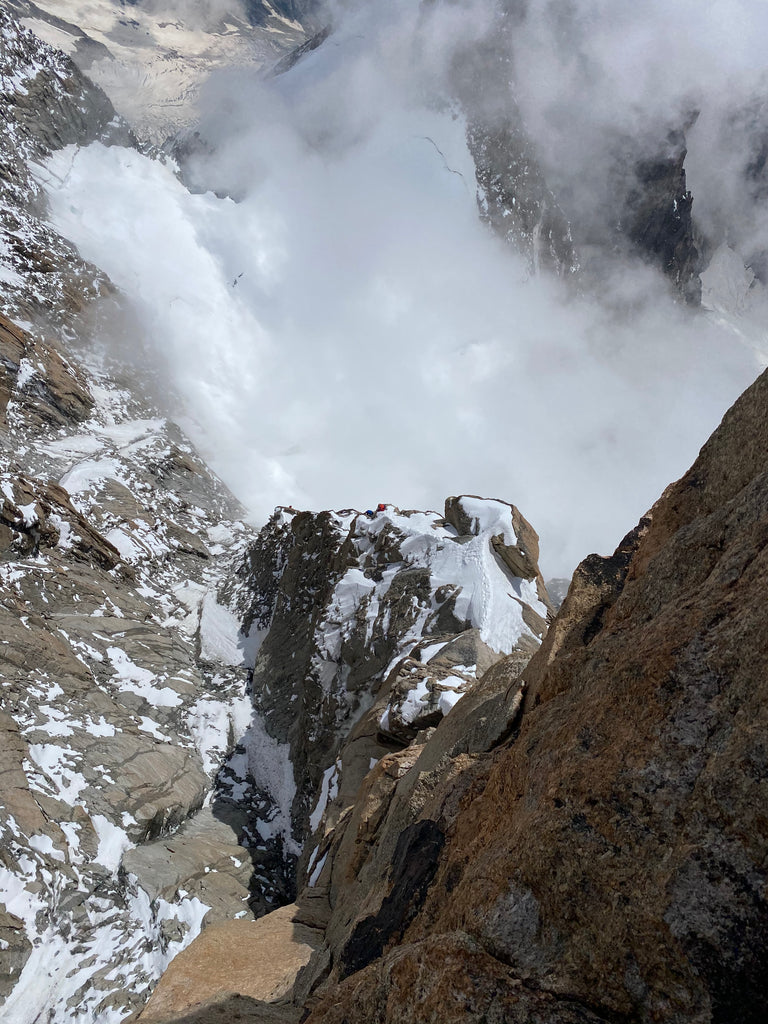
123	679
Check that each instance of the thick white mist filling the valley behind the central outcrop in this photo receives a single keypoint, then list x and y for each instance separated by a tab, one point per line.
350	332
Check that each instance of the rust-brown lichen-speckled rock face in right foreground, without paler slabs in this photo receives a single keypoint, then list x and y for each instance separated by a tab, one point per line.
618	859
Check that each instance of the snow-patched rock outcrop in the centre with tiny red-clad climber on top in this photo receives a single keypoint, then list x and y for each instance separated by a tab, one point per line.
373	628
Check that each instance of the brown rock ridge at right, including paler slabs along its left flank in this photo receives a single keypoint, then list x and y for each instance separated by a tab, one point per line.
583	841
